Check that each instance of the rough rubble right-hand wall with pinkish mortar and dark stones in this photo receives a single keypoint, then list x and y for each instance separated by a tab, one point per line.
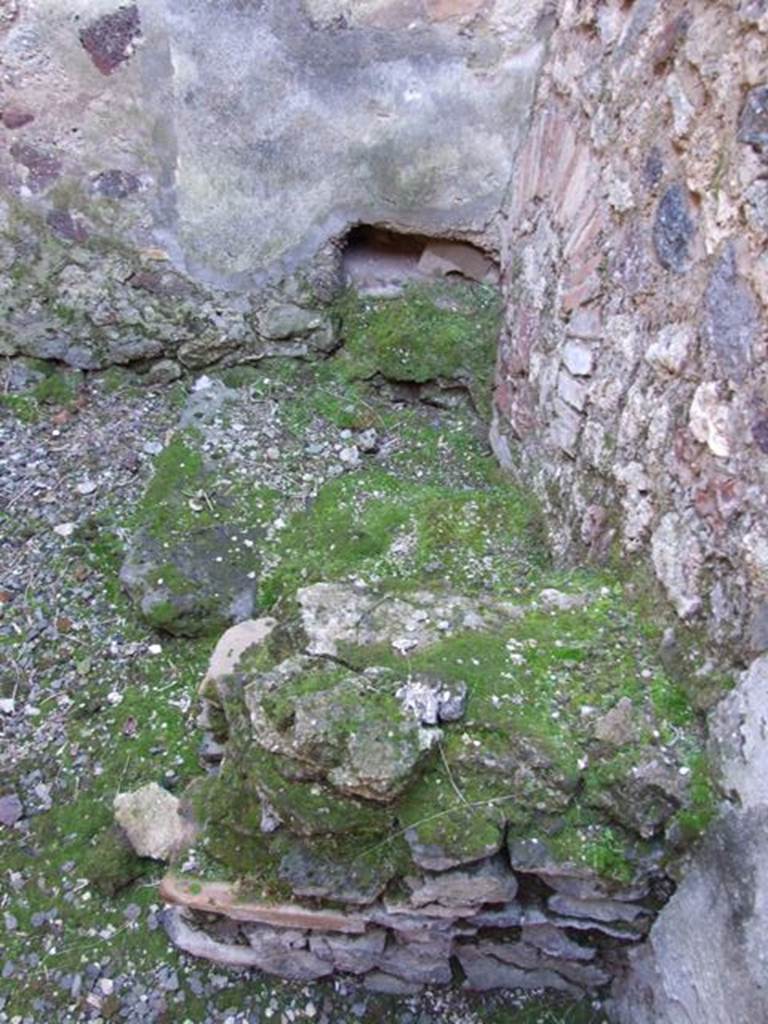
632	387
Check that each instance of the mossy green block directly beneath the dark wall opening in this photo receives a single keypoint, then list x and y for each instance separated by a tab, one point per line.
433	332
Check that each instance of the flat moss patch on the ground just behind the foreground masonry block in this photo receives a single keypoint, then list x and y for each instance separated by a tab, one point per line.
400	534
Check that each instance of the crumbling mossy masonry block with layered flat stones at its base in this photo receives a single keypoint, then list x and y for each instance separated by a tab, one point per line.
401	826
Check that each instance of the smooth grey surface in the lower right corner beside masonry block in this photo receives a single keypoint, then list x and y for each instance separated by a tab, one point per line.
716	971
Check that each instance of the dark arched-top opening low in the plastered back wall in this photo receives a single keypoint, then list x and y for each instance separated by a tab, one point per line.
379	262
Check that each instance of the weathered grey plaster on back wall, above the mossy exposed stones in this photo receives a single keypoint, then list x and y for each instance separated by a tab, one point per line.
255	132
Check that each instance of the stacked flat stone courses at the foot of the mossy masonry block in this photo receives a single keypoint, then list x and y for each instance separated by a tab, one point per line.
502	929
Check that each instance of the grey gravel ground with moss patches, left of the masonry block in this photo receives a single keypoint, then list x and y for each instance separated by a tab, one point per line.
92	702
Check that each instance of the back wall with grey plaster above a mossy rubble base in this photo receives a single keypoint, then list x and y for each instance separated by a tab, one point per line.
177	175
